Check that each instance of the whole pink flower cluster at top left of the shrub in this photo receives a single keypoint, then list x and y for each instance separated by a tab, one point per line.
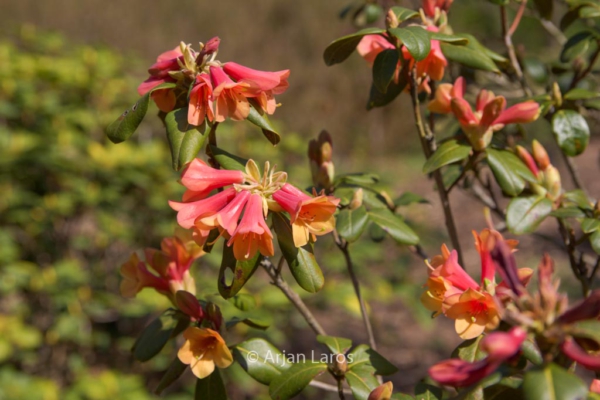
211	89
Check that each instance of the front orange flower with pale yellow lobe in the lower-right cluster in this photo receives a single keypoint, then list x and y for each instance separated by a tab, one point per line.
474	312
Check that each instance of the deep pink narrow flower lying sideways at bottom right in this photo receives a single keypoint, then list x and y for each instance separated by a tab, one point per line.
500	347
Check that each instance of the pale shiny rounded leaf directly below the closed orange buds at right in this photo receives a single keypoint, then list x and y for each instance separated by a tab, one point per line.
524	214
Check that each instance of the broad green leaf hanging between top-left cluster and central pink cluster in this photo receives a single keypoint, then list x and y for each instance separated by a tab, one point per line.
185	140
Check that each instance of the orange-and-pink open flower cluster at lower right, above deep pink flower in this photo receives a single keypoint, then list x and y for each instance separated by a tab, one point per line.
451	291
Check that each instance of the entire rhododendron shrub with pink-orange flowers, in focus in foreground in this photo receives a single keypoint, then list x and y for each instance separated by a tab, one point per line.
520	340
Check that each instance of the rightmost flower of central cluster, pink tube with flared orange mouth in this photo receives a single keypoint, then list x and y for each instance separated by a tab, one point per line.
309	216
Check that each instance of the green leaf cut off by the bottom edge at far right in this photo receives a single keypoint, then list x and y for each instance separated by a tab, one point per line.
553	383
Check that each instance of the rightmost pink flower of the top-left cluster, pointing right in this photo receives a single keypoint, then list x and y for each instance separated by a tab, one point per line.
263	85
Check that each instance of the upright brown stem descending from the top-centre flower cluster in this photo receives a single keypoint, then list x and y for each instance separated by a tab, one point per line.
429	145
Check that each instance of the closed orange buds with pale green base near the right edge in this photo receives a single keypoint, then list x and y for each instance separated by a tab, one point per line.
548	176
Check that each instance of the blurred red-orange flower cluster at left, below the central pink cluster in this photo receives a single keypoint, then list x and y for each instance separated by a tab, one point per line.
165	270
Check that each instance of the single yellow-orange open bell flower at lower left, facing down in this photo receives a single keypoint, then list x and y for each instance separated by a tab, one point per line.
202	350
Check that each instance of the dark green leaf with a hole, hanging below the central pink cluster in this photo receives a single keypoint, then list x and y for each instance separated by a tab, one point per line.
242	271
